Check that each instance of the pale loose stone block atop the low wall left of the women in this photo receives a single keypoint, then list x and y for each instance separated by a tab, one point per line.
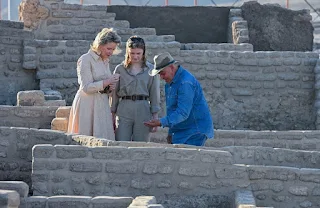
30	98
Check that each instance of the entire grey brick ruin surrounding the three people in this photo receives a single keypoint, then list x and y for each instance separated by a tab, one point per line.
263	97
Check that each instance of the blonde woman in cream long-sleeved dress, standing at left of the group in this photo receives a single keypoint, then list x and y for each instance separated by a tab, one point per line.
90	113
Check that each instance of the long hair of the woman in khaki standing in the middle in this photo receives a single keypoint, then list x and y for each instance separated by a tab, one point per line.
135	42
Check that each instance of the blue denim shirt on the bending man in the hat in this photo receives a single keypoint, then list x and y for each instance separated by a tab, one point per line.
187	109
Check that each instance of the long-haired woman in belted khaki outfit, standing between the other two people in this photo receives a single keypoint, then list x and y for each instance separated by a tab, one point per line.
136	98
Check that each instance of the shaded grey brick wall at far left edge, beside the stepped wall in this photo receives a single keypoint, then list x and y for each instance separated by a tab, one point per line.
13	77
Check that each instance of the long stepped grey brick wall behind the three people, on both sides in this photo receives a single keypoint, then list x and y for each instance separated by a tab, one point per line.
245	90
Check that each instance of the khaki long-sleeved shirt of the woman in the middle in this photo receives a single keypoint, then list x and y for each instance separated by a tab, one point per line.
139	84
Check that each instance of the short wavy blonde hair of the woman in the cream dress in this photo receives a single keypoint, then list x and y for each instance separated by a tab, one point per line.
106	35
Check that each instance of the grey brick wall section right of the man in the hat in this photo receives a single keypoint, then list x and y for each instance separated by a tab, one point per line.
256	90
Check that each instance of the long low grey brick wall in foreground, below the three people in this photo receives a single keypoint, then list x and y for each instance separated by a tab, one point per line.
167	174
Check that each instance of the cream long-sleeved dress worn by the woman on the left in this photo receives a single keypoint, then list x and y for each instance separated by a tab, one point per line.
90	113
